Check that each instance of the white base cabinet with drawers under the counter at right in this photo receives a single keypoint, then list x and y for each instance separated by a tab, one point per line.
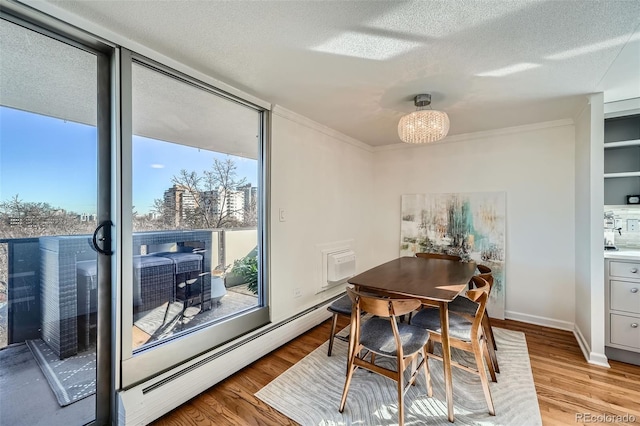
623	310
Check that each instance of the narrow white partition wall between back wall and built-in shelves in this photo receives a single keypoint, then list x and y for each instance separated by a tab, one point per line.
589	266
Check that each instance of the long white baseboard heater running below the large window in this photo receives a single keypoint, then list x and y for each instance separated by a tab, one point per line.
146	402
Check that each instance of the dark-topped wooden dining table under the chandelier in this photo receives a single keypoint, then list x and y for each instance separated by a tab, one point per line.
434	281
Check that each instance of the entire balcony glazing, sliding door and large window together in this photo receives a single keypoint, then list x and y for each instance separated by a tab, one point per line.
178	179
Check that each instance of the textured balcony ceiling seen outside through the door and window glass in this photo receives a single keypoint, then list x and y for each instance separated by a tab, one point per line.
42	75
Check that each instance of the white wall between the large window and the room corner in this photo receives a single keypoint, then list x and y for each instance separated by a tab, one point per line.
324	182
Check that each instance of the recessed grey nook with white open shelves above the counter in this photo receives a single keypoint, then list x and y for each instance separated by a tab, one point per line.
621	158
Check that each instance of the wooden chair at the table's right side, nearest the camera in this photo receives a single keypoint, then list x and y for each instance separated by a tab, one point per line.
465	333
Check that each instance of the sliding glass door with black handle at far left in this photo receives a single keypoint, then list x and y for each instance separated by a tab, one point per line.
54	191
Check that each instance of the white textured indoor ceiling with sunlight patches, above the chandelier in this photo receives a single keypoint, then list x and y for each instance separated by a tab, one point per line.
355	66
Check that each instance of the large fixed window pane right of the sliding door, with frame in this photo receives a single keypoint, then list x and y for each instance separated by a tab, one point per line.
196	189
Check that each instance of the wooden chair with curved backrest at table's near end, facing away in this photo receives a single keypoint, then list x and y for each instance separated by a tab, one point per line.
382	335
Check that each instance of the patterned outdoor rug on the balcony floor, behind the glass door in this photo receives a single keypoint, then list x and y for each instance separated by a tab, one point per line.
71	379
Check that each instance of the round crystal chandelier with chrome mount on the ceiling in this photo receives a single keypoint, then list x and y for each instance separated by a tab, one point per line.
423	125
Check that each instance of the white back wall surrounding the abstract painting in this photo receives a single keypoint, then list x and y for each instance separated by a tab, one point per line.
535	166
